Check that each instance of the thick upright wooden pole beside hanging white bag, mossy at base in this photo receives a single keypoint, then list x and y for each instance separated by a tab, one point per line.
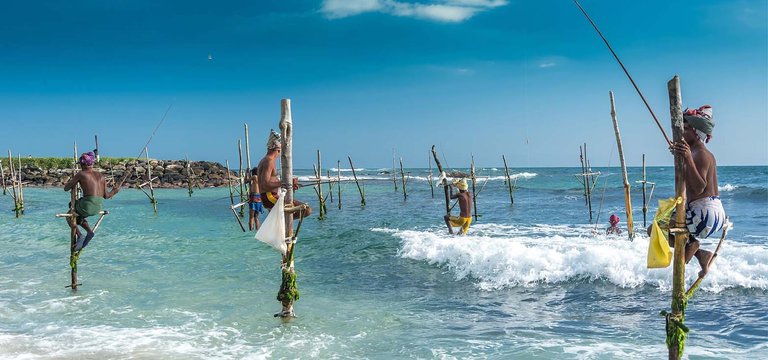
286	163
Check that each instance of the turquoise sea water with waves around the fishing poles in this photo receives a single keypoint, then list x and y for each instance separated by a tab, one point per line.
530	280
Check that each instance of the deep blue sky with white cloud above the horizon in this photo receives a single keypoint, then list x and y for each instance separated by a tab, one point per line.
377	79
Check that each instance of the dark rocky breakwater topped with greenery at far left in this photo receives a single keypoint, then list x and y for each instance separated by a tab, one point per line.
166	174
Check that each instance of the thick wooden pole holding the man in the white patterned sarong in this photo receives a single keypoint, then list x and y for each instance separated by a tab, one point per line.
675	321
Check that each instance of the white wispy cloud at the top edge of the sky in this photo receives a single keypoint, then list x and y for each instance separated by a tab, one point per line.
437	10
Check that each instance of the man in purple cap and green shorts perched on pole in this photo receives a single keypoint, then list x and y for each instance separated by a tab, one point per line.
94	188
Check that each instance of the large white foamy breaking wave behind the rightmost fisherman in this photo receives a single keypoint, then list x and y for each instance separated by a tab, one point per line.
498	256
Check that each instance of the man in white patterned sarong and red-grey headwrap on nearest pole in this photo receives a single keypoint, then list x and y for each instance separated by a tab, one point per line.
704	212
